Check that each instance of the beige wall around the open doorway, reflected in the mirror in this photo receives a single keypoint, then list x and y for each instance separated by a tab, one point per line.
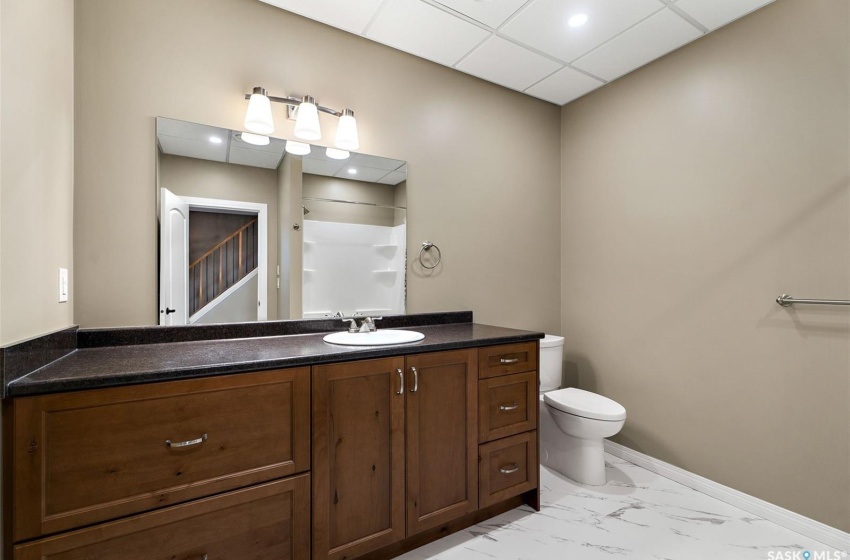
224	181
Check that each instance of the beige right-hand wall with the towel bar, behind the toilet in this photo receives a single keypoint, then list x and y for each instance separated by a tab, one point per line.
695	191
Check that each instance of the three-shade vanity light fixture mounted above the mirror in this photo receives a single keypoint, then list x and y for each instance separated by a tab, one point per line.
259	120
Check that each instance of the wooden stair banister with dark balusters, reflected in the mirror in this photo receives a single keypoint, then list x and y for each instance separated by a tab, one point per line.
222	266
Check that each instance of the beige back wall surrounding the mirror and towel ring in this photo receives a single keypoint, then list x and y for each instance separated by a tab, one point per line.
484	174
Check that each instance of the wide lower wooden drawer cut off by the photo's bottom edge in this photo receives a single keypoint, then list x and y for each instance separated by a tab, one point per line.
270	521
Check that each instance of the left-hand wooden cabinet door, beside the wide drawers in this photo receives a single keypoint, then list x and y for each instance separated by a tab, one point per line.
358	457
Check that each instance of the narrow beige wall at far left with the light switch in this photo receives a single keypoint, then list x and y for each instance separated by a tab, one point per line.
36	165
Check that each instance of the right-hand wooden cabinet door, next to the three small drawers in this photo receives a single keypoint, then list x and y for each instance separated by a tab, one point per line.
442	437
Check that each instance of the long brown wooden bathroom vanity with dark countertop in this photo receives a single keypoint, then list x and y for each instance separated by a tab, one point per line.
268	447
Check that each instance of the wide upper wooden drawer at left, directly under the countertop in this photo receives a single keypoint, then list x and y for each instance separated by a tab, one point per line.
82	458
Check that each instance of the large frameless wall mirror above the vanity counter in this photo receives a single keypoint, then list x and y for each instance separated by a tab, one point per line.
250	232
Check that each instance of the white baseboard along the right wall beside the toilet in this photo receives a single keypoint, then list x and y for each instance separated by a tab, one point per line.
816	530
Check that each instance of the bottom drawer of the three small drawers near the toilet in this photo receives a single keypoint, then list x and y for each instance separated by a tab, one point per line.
508	467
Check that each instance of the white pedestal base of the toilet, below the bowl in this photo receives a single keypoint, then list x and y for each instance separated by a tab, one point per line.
582	460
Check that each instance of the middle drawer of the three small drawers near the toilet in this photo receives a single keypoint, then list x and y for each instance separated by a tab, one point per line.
507	405
